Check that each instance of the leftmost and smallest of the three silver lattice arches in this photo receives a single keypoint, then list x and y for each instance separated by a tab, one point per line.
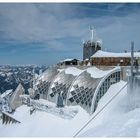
43	82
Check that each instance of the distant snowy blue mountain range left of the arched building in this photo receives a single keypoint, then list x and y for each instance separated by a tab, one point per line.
11	76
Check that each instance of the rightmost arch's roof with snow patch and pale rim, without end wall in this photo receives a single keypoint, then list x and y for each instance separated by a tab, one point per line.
83	89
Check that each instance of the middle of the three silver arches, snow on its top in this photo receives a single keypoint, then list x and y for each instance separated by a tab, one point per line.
62	82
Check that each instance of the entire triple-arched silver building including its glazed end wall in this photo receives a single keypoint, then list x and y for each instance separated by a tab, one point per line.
82	87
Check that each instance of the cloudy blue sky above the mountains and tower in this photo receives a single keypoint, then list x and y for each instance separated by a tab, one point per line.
47	33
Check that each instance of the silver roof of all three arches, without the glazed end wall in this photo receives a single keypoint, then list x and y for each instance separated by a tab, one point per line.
77	86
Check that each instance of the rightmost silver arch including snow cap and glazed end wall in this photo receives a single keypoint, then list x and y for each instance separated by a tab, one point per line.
90	86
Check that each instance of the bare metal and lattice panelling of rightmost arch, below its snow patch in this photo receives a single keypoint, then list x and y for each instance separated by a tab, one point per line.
82	90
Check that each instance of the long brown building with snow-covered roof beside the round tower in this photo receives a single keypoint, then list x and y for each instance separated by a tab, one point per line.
112	58
